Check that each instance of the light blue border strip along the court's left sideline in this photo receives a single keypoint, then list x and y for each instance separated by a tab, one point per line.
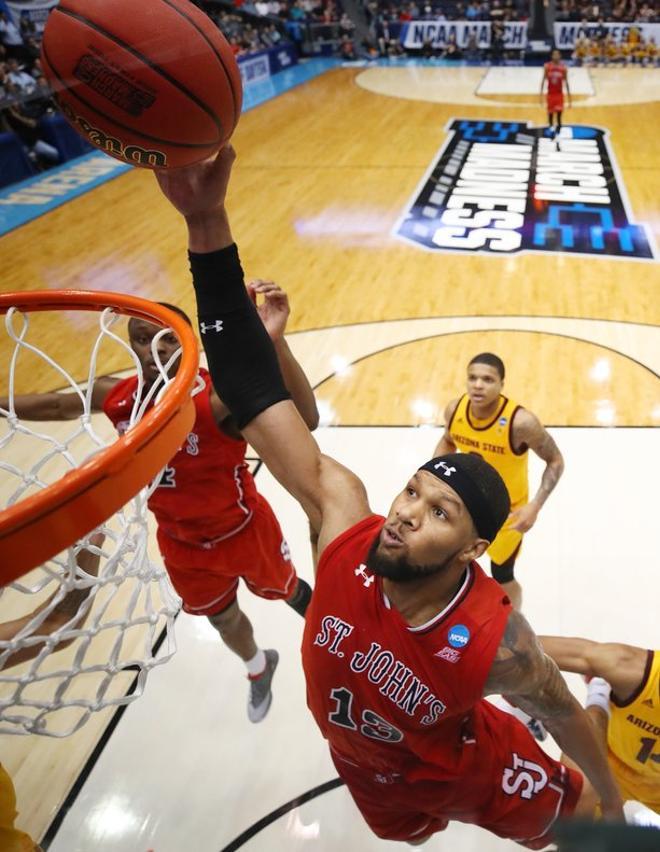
29	199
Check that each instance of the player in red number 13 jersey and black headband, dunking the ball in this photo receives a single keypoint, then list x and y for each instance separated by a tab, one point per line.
405	634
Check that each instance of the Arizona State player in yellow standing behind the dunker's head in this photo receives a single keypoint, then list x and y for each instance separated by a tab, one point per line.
486	422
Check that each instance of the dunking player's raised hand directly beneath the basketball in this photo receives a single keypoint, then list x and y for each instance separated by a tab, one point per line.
198	190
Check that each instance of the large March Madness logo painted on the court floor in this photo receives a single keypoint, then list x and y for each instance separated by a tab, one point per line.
501	187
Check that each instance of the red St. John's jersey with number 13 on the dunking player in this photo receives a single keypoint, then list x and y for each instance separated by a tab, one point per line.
396	699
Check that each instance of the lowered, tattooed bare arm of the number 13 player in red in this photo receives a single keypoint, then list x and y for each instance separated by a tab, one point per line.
532	681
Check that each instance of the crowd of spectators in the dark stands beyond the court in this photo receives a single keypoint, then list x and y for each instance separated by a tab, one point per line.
255	25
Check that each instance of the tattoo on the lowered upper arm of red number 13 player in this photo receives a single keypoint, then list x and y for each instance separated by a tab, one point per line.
528	677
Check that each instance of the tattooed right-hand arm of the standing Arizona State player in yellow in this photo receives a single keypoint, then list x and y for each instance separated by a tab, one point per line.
529	431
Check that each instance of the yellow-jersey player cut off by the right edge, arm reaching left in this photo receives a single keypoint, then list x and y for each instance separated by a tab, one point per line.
623	701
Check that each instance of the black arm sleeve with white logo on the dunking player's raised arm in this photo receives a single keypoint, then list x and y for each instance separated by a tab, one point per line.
242	359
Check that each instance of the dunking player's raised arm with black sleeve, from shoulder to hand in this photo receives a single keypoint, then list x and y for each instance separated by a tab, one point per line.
242	359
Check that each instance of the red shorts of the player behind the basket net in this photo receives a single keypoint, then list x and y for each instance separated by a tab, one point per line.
206	578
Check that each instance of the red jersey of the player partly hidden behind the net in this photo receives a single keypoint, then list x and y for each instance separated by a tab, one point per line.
206	493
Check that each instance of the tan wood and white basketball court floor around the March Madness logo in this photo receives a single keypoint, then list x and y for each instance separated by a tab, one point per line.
384	329
